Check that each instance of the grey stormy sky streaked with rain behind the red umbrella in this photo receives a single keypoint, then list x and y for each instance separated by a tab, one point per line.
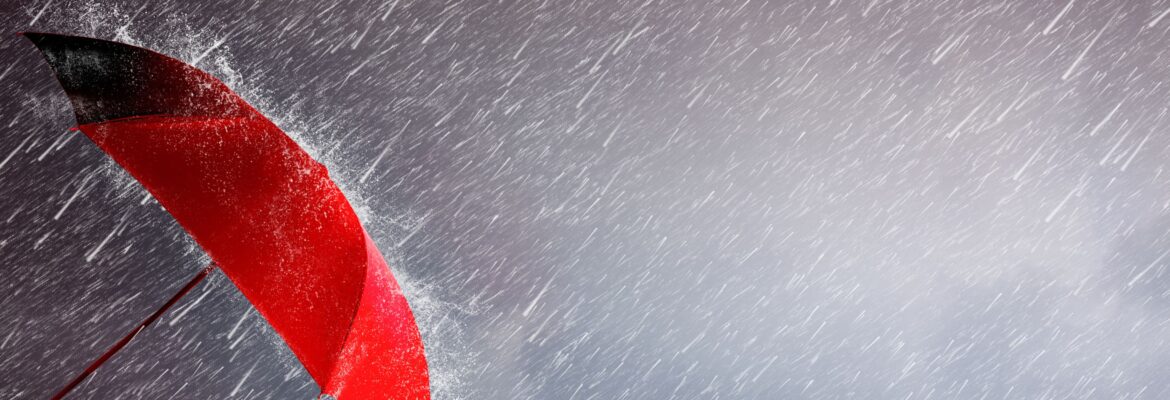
641	199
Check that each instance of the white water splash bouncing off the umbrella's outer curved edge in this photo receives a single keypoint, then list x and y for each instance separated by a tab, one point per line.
211	51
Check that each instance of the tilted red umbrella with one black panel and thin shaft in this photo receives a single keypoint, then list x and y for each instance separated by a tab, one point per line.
266	213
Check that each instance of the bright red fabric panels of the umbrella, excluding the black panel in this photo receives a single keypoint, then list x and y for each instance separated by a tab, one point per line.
285	235
